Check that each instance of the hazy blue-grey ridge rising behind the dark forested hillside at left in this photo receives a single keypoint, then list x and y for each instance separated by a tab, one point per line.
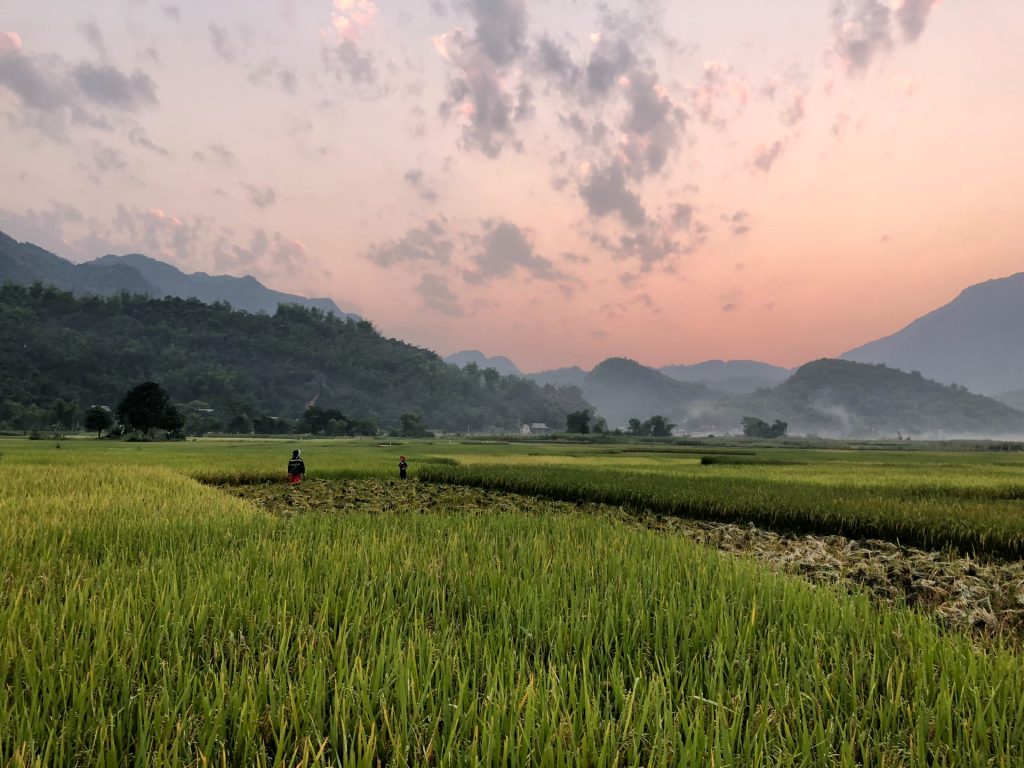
24	264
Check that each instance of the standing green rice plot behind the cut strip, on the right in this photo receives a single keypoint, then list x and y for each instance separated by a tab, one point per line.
916	503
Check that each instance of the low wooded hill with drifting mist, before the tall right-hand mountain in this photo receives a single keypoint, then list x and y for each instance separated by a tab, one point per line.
844	399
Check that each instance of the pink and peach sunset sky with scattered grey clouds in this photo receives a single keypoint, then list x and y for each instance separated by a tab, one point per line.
559	182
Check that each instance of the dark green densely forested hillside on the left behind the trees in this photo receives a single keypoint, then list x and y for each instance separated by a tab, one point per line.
57	350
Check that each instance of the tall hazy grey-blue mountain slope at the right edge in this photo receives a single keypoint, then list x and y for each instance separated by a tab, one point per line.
977	340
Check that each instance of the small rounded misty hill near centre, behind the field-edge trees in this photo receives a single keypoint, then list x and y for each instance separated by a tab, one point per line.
622	390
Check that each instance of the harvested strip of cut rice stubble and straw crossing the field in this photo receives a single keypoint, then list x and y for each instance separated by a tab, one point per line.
985	599
